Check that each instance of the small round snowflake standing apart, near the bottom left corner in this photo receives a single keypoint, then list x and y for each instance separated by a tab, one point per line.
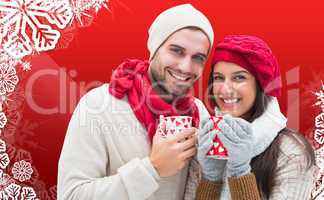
22	171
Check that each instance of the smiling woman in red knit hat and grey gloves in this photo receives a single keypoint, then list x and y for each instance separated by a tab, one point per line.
244	80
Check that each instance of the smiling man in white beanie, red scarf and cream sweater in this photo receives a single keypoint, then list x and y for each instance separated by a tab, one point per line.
111	149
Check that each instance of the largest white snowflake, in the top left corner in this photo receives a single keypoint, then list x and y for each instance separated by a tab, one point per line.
19	16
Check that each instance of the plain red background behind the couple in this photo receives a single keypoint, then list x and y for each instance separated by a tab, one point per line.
293	29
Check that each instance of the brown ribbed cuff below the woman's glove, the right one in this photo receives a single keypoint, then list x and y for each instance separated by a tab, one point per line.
244	187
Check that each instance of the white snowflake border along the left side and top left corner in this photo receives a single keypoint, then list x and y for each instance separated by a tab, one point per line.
28	27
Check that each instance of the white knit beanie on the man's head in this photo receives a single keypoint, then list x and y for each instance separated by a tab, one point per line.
173	19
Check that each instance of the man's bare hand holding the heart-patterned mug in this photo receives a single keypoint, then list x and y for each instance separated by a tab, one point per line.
172	153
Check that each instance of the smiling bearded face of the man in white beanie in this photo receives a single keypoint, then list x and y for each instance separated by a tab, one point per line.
179	62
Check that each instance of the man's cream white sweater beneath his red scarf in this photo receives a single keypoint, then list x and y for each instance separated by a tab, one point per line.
105	154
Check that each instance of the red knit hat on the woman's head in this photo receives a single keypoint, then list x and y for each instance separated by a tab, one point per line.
254	55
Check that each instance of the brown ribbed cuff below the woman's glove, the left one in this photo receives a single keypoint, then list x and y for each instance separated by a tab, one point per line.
208	190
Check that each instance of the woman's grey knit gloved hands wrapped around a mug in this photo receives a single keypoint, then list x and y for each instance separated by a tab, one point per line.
236	136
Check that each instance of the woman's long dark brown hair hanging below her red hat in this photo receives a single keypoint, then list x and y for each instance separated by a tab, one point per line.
264	165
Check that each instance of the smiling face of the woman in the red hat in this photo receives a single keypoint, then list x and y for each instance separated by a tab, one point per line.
234	89
